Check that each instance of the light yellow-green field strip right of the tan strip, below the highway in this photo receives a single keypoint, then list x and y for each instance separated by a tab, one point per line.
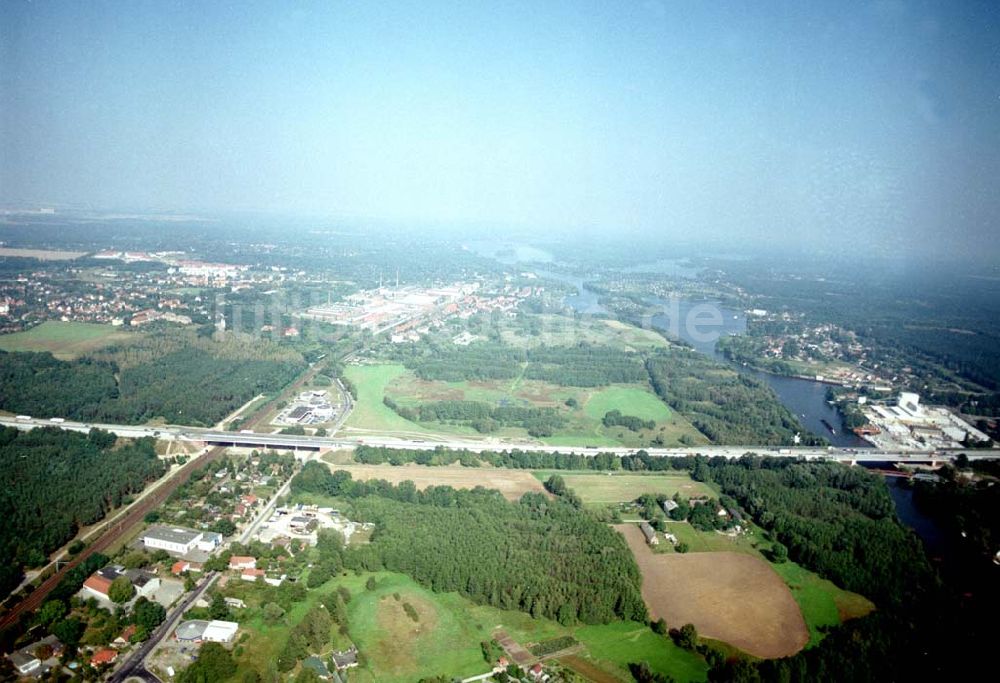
605	488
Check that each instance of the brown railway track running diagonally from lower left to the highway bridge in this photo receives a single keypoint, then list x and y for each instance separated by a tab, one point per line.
111	535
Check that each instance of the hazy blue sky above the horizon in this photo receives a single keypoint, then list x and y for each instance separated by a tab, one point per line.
870	125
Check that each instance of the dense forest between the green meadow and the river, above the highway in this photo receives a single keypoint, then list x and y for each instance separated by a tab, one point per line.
726	406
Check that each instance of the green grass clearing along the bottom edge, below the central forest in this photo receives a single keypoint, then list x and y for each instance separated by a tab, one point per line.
445	638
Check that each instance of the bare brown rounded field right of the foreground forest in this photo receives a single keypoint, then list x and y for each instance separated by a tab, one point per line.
733	597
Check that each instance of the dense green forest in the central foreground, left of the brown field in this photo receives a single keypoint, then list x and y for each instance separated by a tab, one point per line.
539	555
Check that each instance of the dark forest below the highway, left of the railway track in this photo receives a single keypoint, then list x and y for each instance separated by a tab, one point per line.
52	482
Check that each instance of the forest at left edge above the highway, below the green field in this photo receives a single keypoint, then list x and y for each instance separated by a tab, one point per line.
183	379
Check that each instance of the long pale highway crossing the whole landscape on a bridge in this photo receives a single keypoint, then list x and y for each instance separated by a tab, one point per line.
216	437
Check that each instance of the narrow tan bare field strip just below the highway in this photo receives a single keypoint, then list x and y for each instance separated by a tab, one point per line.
511	483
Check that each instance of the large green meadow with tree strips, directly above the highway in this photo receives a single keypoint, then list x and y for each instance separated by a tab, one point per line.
583	426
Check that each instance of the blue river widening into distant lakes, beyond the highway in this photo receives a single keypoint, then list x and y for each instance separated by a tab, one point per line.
700	324
